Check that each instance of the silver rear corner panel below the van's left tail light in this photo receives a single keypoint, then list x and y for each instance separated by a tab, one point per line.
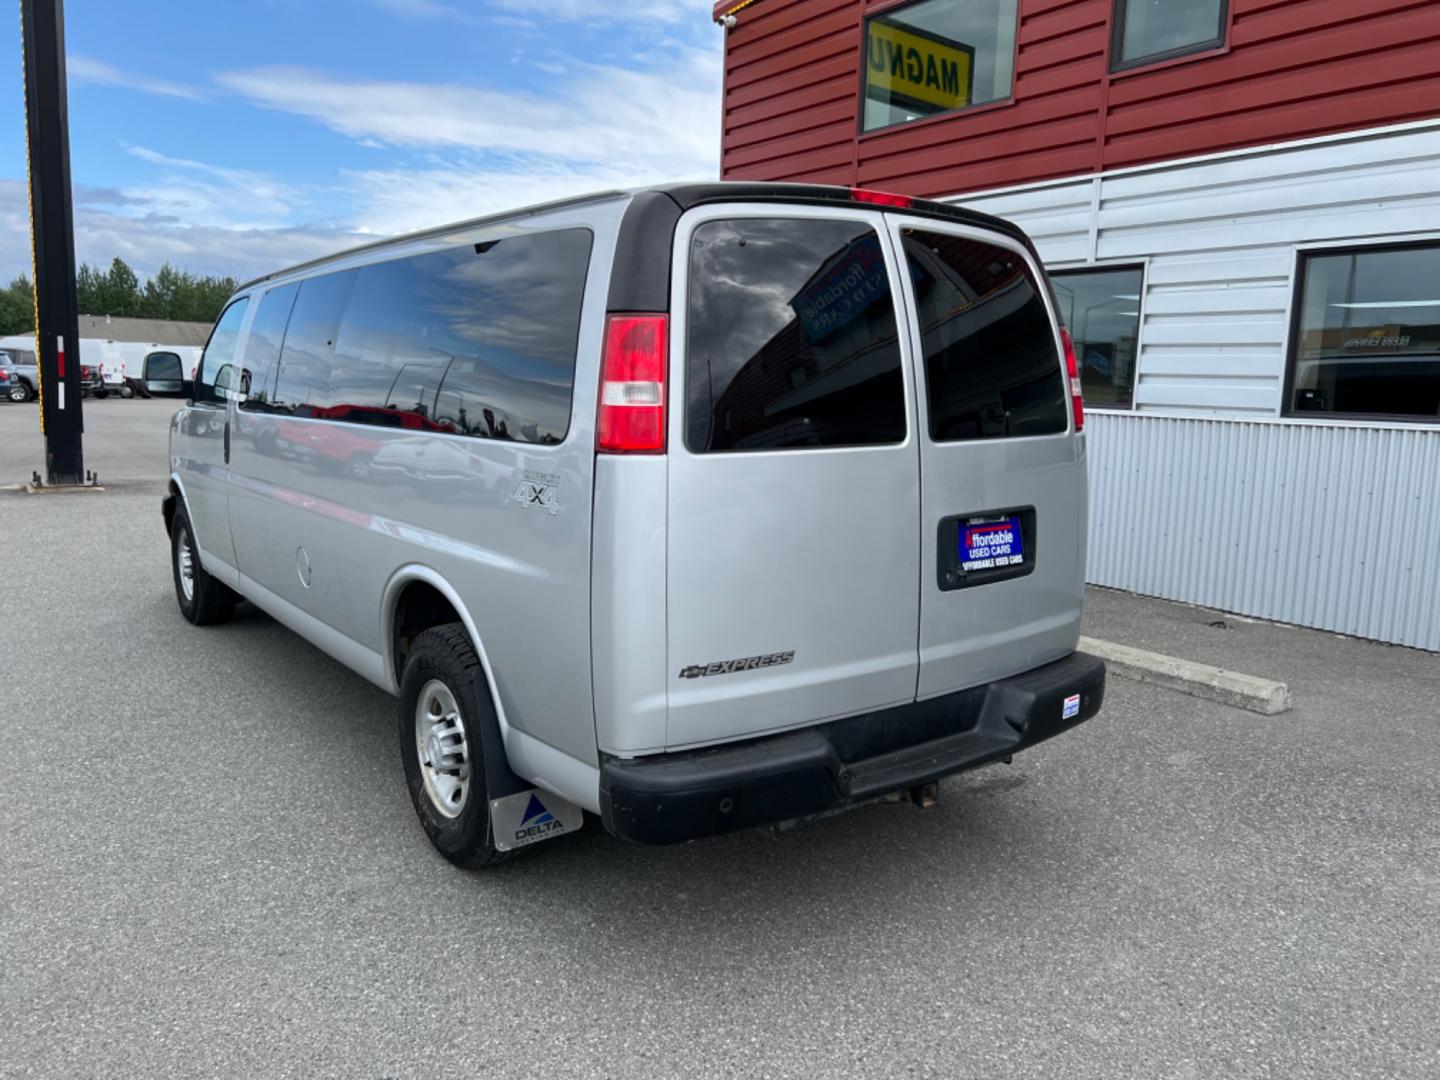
629	604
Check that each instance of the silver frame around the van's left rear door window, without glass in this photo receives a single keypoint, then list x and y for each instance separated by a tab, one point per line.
679	354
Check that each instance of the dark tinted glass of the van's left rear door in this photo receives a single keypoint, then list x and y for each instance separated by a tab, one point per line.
791	338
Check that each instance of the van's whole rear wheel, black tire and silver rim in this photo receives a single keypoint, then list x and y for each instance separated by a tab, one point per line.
440	747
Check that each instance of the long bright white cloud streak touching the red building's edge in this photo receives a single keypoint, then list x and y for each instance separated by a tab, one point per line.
667	119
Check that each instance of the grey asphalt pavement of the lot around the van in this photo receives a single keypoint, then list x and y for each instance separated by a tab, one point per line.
211	868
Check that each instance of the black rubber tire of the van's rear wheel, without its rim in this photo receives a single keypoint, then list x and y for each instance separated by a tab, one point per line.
446	654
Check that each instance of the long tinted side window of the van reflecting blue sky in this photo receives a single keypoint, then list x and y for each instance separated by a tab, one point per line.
476	341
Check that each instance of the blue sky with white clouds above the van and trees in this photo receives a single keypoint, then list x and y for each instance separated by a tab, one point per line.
237	139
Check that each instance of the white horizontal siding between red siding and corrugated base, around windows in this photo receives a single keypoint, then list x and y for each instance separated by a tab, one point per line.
1220	238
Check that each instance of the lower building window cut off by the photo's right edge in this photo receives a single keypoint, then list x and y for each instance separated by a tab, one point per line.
1367	335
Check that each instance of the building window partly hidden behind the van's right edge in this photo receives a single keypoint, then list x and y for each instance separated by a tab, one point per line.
1102	309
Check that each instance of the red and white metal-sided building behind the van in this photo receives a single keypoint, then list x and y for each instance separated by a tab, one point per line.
1239	202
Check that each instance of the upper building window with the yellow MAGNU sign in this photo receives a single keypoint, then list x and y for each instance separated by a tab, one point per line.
937	57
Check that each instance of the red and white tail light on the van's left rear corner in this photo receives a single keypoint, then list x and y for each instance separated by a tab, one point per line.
633	385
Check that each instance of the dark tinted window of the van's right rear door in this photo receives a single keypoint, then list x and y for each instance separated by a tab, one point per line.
991	365
